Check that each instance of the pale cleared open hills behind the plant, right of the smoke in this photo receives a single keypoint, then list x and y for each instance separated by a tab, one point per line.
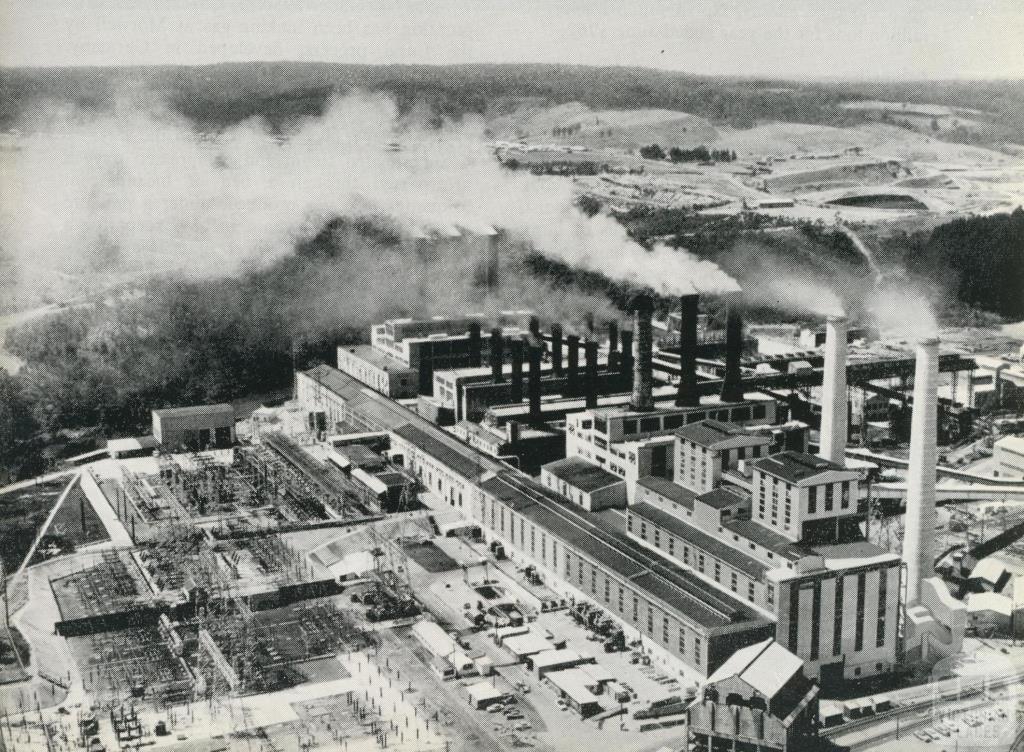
867	174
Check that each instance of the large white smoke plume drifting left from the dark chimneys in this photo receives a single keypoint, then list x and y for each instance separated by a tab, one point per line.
142	186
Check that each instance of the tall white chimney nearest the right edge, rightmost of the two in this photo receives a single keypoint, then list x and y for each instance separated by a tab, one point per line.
919	534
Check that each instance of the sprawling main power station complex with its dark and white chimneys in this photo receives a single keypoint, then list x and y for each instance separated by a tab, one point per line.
734	534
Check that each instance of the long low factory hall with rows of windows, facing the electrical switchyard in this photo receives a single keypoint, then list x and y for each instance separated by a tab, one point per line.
674	610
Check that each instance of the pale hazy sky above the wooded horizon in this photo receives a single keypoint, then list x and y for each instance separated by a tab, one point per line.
809	38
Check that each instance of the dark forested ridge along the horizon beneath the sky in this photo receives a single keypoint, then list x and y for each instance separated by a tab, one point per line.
218	96
